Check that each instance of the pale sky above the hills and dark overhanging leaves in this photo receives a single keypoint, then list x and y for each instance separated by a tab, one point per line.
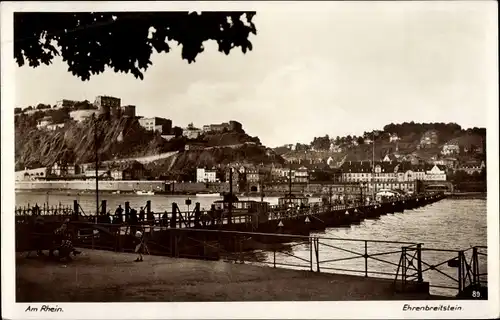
333	68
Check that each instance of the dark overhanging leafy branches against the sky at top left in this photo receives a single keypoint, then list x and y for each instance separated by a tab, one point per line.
123	41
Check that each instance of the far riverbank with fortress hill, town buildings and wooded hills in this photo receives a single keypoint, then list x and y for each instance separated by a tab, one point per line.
402	157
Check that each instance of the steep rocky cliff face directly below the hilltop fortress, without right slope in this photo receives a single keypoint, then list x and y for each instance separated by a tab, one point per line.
76	142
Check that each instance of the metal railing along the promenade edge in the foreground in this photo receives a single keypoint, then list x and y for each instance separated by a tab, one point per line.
406	263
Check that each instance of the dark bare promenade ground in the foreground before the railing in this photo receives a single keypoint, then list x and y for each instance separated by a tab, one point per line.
103	276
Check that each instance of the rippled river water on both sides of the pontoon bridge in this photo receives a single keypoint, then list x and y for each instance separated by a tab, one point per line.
453	224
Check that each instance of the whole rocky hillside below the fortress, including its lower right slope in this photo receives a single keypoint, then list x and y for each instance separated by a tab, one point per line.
119	138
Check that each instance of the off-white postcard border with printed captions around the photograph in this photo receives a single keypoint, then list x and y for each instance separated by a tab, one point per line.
216	310
